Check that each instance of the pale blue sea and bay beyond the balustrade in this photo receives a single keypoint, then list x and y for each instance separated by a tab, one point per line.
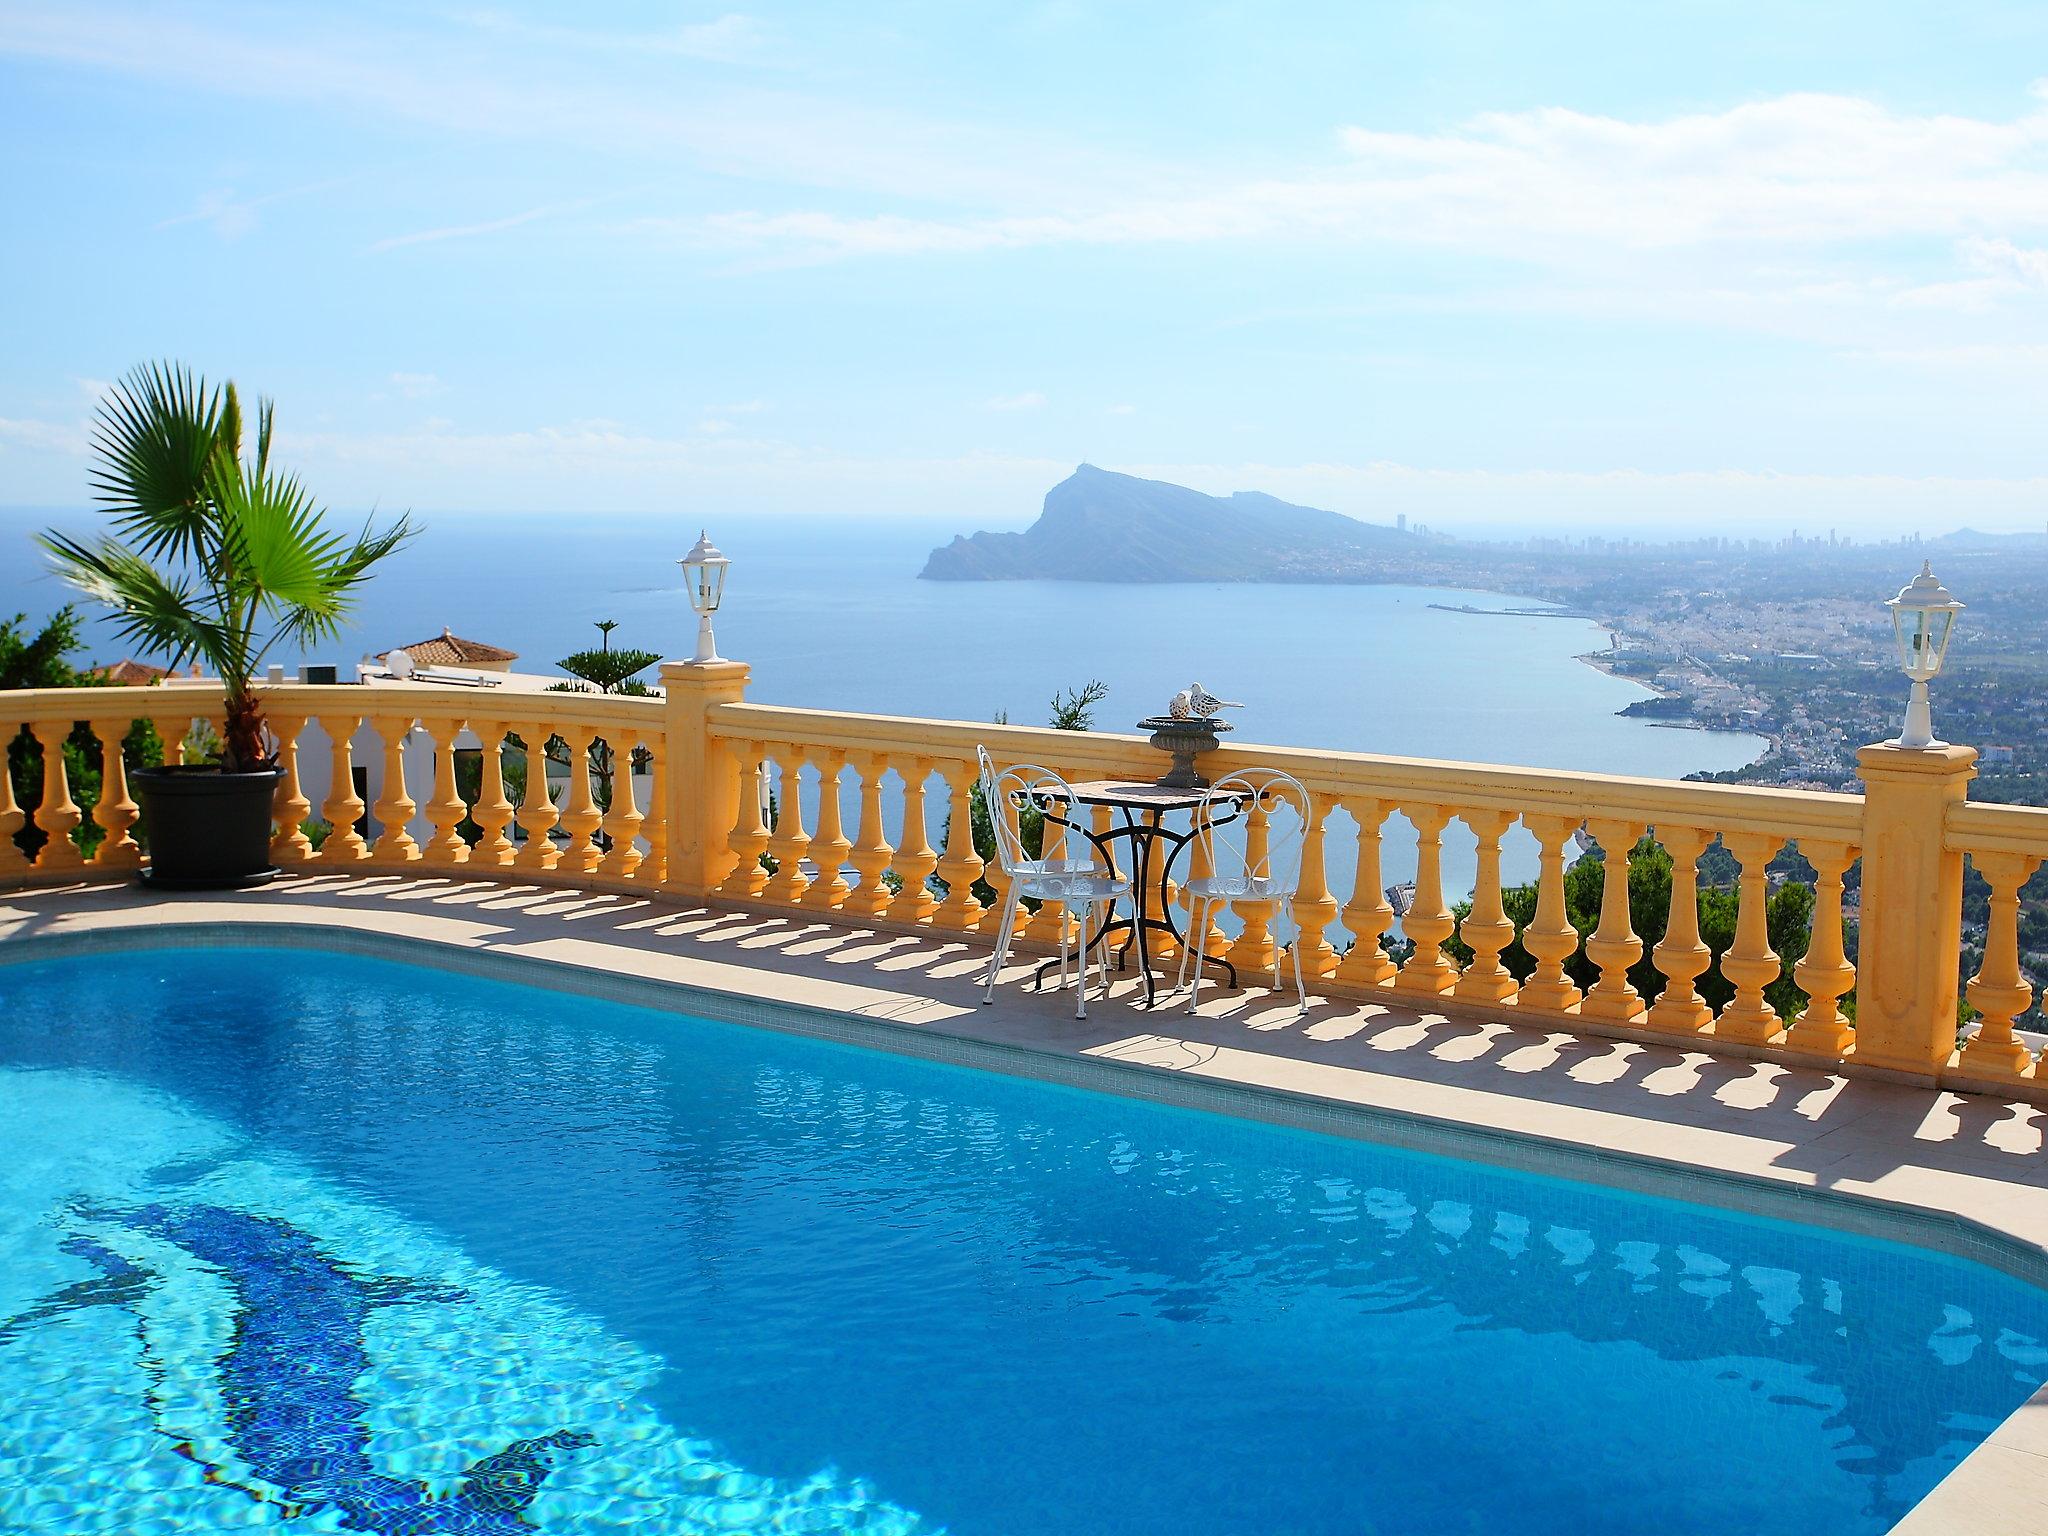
830	615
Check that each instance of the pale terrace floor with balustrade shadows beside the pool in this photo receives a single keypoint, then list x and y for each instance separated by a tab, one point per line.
1672	1111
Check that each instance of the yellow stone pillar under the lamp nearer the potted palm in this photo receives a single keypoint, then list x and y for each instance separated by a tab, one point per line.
697	775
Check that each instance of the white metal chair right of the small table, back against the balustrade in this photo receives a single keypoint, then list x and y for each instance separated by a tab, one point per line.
1250	857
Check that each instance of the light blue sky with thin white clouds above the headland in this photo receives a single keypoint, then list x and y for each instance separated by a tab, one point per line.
1693	267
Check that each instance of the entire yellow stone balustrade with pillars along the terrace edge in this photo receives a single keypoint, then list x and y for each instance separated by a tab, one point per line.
695	828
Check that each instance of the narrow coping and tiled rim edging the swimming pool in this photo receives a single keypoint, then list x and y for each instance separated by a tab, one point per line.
2000	1486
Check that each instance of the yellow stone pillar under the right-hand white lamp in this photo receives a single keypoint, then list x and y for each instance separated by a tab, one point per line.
1912	916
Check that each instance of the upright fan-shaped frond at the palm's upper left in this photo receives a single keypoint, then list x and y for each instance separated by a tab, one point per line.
155	439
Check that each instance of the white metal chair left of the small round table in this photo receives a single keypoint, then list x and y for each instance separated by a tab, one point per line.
1080	886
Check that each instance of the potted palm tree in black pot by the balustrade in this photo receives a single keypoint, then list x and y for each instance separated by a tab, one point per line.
214	558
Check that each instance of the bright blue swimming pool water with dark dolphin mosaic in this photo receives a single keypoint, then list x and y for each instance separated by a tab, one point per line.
390	1250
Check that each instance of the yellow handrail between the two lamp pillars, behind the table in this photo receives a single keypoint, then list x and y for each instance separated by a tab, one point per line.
1492	787
